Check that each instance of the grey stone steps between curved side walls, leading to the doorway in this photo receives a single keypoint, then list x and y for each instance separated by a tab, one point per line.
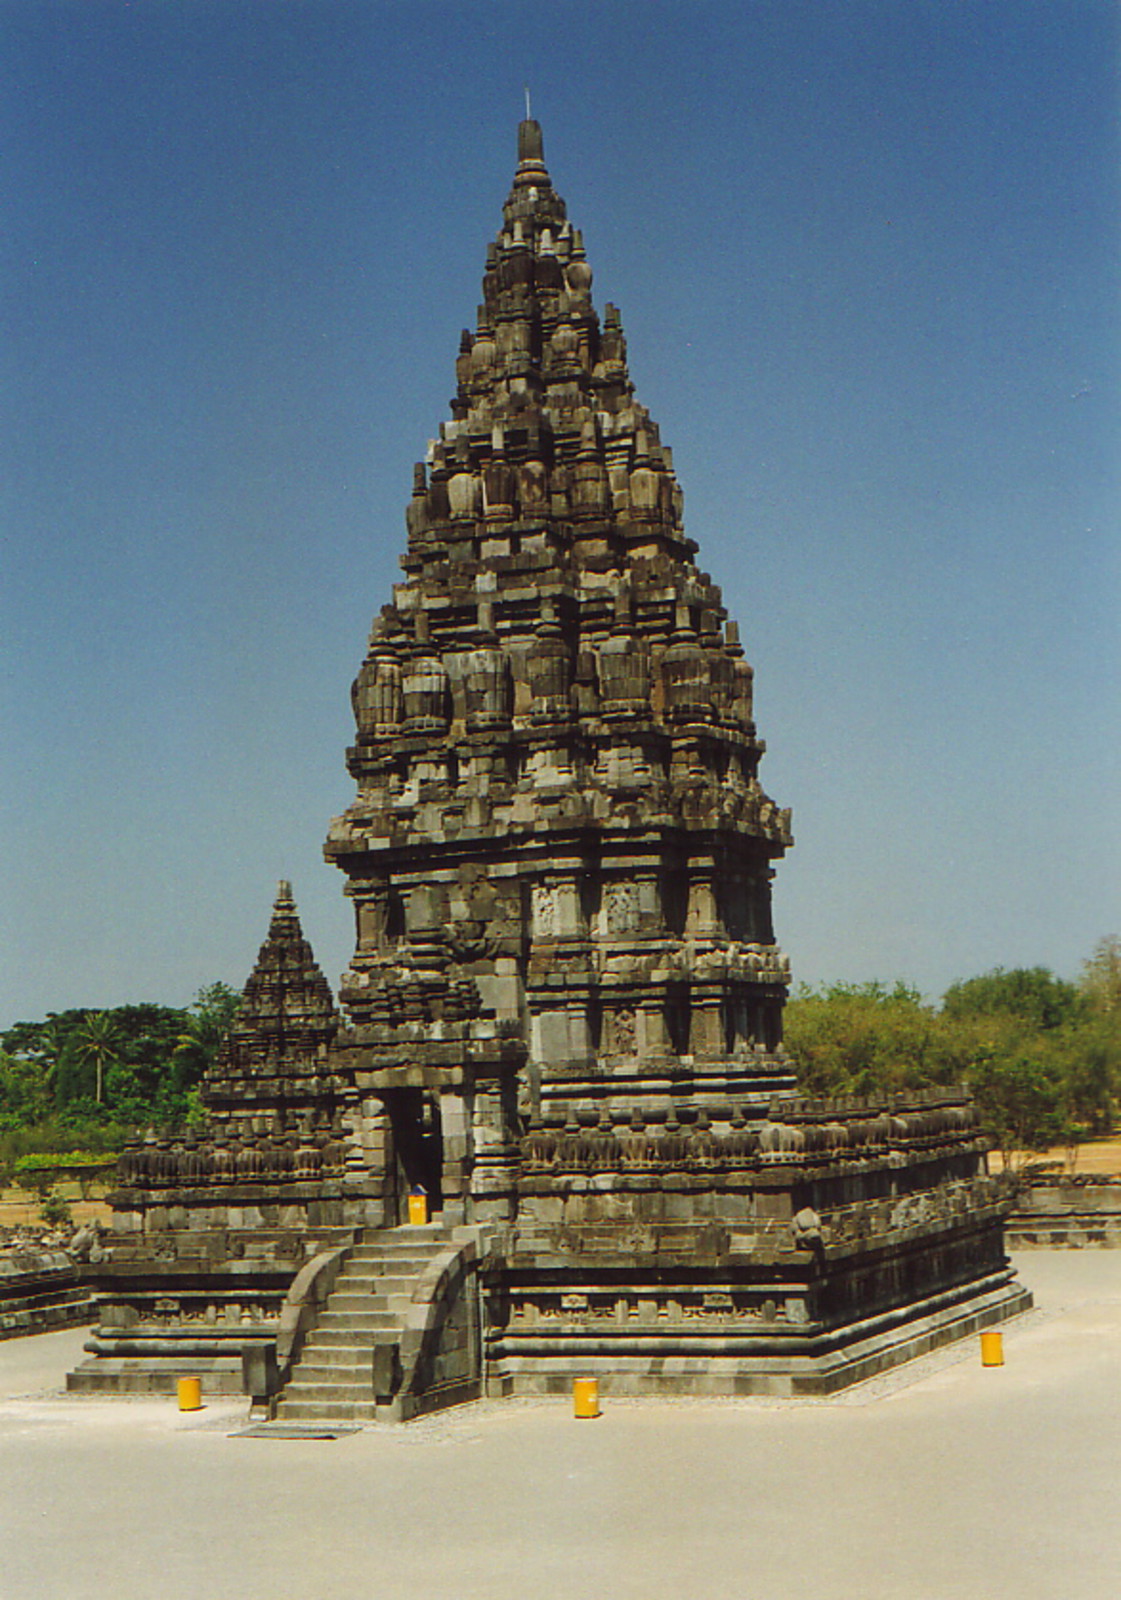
333	1380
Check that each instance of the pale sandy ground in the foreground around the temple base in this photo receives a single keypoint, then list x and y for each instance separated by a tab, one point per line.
941	1482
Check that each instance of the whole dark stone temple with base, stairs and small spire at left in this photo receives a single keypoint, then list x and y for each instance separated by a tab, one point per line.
562	1023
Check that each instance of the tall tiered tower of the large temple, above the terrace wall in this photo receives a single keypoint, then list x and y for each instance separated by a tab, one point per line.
559	823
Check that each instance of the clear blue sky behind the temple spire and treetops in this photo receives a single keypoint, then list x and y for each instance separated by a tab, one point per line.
868	262
